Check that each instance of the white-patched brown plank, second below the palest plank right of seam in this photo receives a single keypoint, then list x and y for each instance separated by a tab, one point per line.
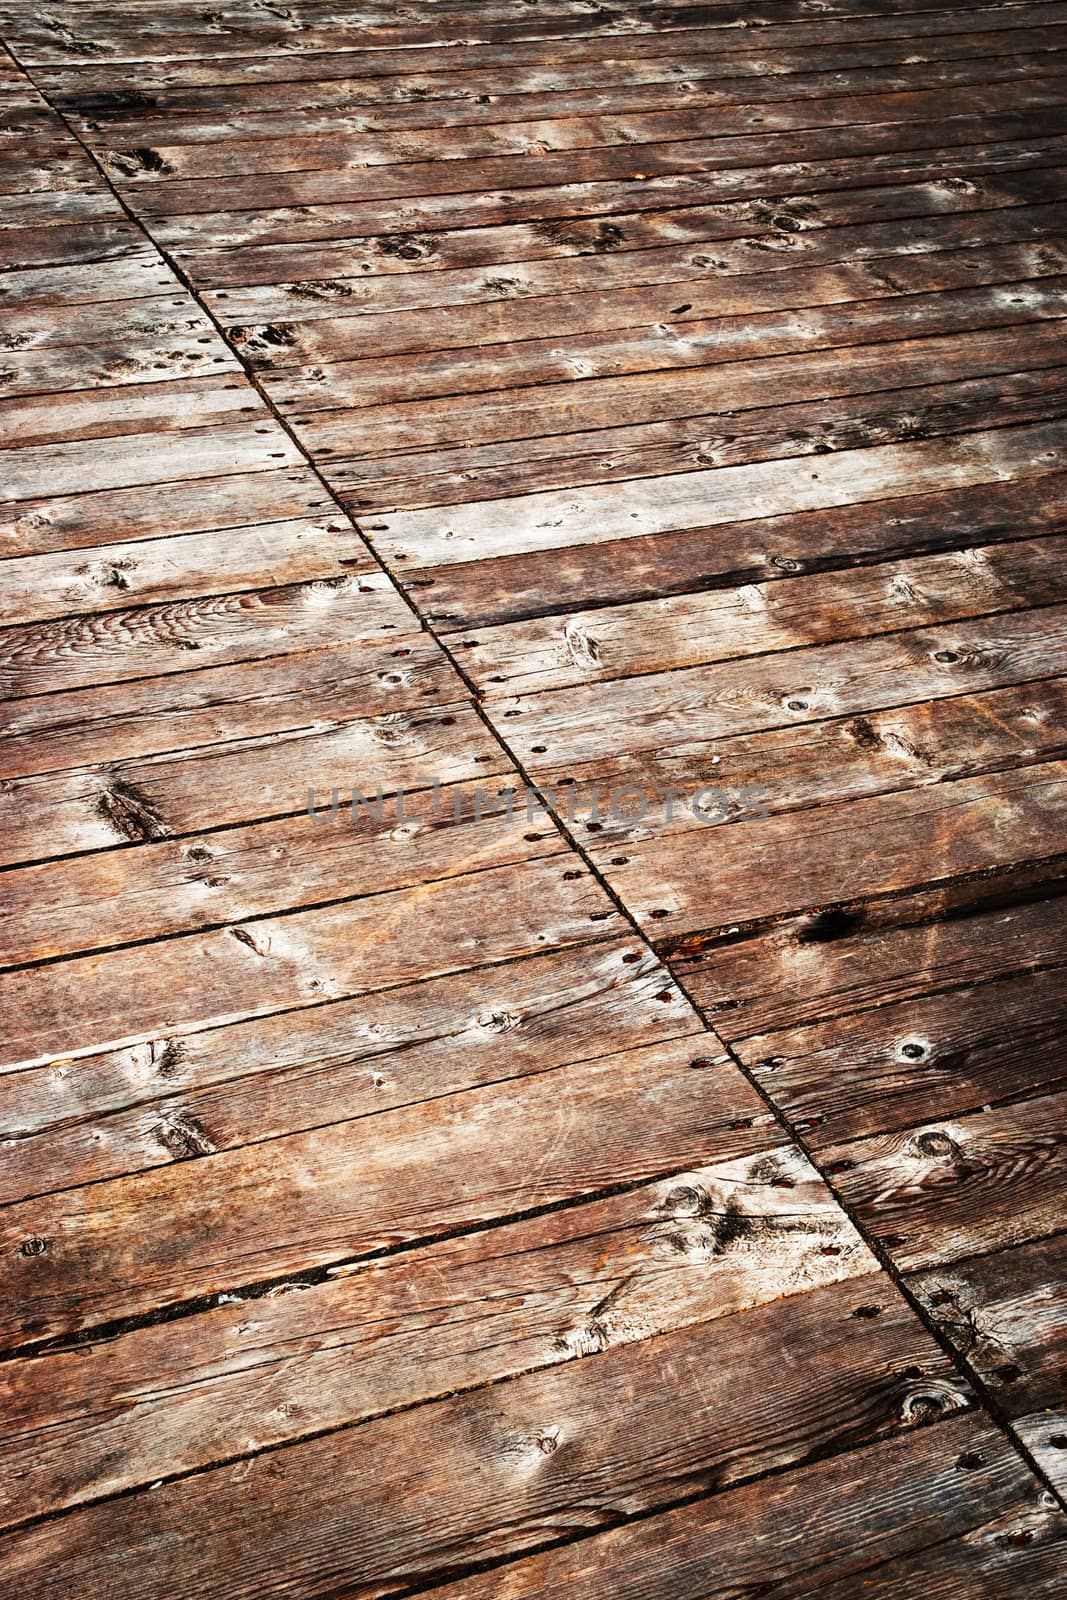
722	625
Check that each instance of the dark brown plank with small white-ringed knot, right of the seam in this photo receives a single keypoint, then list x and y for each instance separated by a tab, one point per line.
898	1065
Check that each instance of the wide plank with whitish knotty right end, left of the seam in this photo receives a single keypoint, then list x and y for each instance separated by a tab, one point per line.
526	1297
